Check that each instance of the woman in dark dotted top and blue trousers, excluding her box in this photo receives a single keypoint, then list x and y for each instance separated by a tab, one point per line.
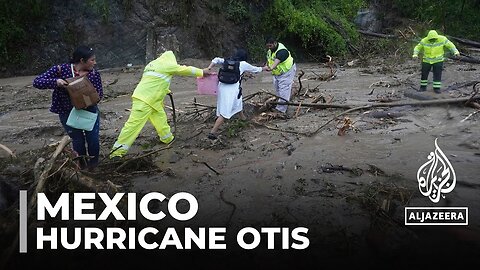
82	64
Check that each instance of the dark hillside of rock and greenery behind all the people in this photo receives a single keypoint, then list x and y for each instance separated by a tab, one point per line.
34	34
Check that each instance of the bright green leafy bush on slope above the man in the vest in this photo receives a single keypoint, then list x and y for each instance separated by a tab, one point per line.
321	26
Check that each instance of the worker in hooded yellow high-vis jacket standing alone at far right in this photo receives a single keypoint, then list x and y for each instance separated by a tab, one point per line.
433	48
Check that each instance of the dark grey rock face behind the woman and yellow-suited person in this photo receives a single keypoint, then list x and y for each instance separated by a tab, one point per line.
129	32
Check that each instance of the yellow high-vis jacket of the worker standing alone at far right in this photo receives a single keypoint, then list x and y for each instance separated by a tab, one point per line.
433	47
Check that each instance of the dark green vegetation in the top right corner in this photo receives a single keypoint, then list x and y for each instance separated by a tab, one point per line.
454	17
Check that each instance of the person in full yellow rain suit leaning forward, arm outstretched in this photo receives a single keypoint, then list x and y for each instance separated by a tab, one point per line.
147	101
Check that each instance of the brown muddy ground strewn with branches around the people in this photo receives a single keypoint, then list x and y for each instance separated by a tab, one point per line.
350	190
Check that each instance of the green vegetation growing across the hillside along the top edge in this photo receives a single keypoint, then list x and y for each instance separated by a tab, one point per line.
310	28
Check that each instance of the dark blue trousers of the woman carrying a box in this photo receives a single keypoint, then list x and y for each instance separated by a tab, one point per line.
80	138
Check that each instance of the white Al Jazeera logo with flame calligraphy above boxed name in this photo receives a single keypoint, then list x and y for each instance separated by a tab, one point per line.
436	178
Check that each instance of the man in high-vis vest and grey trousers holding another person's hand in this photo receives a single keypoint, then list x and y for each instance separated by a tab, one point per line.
280	62
